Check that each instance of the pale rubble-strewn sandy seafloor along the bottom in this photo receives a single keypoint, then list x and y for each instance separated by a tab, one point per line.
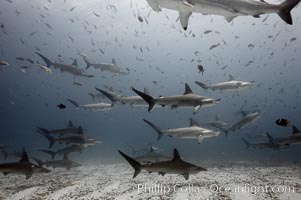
114	181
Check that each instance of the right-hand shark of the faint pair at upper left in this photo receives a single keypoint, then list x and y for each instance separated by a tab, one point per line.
110	67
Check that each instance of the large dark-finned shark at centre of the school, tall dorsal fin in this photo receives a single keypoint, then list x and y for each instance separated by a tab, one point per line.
188	99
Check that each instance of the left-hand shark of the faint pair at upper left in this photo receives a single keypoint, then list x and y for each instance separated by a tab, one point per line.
71	69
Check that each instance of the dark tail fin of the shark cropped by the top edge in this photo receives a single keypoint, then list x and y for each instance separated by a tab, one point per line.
285	10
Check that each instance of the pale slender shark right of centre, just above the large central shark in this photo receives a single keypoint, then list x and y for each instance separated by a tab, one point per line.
229	85
